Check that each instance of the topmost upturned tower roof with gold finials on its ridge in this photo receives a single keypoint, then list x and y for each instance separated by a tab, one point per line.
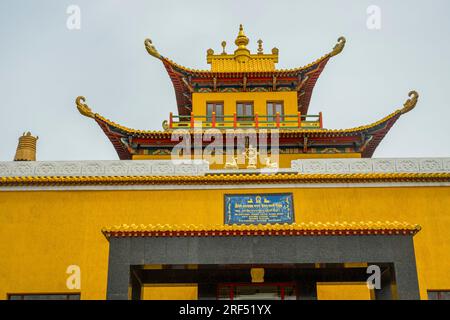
243	71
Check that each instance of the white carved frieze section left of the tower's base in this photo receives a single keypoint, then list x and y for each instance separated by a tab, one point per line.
103	168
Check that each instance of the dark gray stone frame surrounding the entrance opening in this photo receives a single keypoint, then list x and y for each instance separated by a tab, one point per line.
131	251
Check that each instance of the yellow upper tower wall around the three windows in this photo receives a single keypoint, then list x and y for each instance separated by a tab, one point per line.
259	101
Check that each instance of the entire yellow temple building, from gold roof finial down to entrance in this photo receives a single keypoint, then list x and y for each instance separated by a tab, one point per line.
243	194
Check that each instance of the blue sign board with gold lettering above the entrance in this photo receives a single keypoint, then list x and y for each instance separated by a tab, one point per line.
259	208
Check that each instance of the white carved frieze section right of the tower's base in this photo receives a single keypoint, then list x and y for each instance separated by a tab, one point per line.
380	165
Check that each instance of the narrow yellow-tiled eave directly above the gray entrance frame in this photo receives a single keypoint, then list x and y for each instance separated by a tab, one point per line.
295	229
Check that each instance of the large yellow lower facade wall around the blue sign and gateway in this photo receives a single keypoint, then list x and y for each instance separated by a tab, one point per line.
43	232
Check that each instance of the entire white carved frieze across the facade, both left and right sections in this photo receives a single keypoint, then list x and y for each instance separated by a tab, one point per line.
201	167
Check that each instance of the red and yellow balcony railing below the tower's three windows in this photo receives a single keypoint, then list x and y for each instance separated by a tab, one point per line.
276	121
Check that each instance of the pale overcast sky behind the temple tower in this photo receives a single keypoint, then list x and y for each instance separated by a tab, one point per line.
44	66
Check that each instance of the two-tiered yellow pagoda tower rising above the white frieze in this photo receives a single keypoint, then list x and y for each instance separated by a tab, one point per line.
246	95
